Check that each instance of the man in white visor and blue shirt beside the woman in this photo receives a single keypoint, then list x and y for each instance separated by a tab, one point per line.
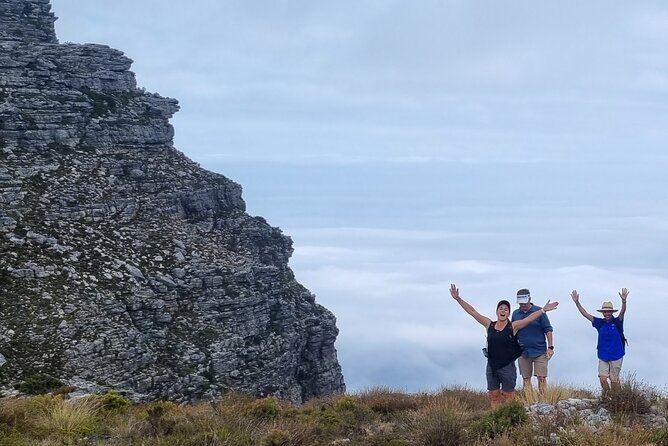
536	340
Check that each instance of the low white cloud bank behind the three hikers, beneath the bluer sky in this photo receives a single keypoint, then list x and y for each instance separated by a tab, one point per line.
400	327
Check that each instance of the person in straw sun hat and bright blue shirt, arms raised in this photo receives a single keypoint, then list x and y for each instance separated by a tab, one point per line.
610	345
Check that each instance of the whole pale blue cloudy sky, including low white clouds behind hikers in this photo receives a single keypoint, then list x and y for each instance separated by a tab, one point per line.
405	145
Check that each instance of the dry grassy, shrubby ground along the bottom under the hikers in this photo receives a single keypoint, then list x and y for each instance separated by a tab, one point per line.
376	417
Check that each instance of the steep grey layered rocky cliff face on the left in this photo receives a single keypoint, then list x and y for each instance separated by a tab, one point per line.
123	264
